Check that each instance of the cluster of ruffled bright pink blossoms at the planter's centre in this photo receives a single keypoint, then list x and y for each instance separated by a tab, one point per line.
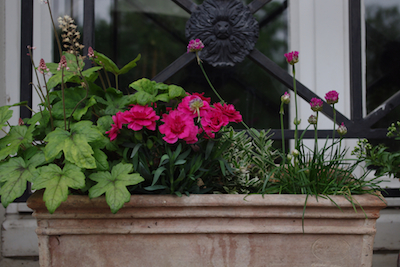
180	123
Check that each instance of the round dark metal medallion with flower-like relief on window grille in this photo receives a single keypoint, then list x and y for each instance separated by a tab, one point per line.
226	27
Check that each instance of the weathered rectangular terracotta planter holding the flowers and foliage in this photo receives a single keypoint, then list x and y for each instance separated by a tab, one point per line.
207	230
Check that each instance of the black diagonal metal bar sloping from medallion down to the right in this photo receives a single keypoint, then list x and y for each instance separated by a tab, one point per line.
284	77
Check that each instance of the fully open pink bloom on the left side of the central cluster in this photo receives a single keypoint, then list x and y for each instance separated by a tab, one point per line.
140	116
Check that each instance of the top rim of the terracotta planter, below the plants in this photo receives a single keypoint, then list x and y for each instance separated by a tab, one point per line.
35	202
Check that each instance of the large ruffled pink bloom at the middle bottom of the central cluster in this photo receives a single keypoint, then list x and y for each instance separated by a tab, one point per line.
178	125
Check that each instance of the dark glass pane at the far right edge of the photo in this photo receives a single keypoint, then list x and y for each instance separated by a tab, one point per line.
382	18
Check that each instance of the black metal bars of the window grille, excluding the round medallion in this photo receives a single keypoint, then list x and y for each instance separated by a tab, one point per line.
358	126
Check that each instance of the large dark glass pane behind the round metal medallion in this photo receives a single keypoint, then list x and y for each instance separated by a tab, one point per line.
156	30
